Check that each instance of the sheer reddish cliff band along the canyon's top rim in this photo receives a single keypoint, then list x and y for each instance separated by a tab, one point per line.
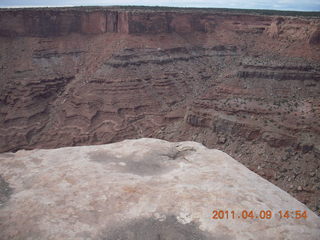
58	22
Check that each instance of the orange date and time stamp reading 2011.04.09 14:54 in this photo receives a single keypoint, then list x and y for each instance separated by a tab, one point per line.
218	214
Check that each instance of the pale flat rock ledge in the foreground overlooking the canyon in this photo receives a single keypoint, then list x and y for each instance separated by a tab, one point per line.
144	189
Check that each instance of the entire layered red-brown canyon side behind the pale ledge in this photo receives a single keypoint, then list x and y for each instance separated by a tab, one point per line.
246	83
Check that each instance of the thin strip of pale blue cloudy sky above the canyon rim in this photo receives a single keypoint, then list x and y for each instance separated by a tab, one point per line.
296	5
